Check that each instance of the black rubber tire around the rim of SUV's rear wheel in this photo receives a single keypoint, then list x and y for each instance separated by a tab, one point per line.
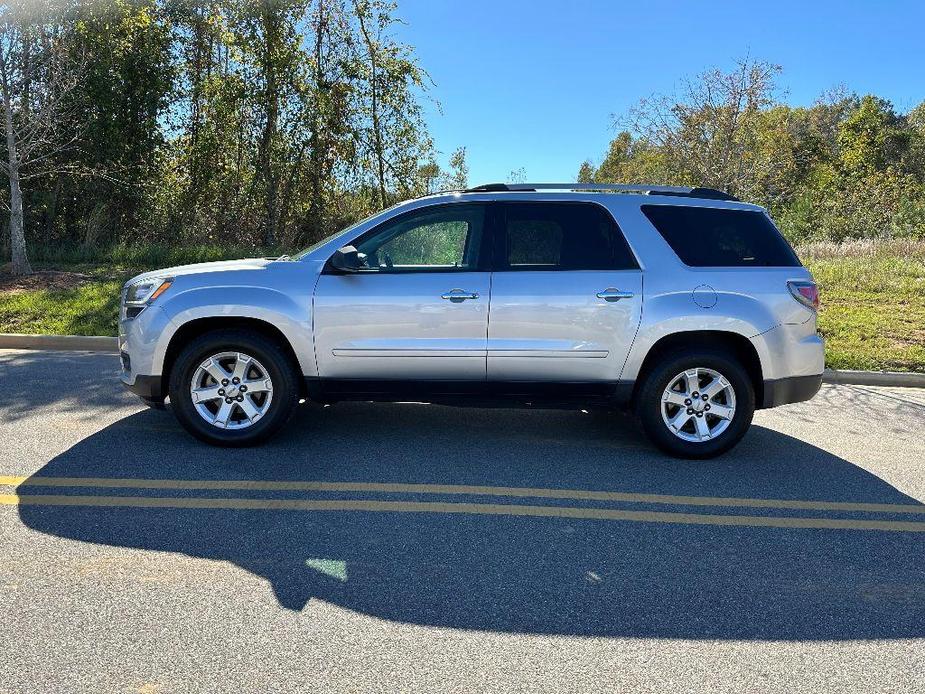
649	402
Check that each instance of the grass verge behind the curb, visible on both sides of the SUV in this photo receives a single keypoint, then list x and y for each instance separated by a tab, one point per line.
872	316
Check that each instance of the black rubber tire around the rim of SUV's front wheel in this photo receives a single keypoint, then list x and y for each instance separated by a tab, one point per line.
269	353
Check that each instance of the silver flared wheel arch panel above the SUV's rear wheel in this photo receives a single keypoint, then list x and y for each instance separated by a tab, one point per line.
673	313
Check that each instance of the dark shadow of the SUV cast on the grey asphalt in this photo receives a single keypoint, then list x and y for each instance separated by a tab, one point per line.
544	575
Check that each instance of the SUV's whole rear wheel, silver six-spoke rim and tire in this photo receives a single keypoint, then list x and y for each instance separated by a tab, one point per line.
697	403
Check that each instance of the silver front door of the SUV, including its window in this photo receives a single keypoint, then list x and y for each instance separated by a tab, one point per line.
419	308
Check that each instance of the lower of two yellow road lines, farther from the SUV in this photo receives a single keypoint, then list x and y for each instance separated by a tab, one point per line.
442	507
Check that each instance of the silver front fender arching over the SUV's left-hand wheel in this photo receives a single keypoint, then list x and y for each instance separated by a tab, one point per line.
290	315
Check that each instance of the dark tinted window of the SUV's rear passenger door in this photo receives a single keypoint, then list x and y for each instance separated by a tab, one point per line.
562	236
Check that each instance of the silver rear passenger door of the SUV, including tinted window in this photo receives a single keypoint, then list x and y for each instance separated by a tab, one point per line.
566	294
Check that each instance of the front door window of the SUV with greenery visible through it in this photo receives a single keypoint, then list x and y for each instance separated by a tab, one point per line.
445	238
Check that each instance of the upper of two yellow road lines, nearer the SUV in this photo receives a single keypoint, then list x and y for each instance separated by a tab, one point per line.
397	488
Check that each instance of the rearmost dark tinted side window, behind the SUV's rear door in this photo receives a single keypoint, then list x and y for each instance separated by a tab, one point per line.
706	237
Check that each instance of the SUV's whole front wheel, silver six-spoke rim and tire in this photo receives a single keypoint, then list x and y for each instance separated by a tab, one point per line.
233	387
